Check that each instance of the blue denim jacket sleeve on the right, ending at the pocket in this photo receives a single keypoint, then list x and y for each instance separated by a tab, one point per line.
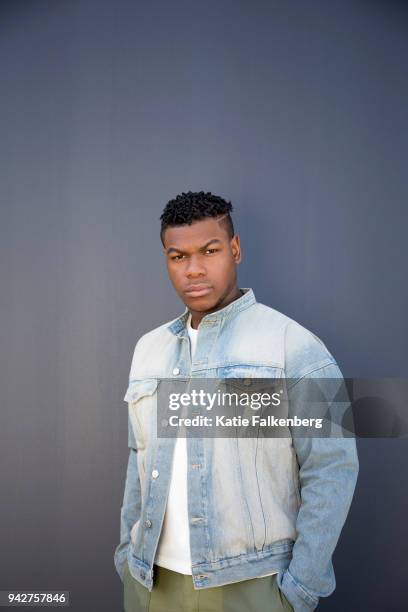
328	469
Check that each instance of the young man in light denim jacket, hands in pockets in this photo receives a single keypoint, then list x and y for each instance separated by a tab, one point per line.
207	525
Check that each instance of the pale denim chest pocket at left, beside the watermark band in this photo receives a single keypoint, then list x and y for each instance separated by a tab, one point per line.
141	396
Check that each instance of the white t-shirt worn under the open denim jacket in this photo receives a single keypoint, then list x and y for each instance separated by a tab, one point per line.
173	551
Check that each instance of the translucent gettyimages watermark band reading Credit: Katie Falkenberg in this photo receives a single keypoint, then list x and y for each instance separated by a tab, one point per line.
274	407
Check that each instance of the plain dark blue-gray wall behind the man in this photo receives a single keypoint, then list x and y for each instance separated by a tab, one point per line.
294	111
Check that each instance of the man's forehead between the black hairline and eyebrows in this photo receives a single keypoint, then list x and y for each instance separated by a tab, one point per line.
194	235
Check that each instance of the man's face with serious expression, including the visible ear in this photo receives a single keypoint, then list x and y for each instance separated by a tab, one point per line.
201	263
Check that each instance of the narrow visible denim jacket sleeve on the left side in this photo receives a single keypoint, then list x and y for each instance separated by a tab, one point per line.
131	506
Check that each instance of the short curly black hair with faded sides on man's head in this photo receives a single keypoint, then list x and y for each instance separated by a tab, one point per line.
194	206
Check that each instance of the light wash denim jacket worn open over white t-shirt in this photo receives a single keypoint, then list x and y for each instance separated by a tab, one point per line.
255	505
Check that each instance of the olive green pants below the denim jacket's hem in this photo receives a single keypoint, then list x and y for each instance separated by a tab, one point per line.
174	592
